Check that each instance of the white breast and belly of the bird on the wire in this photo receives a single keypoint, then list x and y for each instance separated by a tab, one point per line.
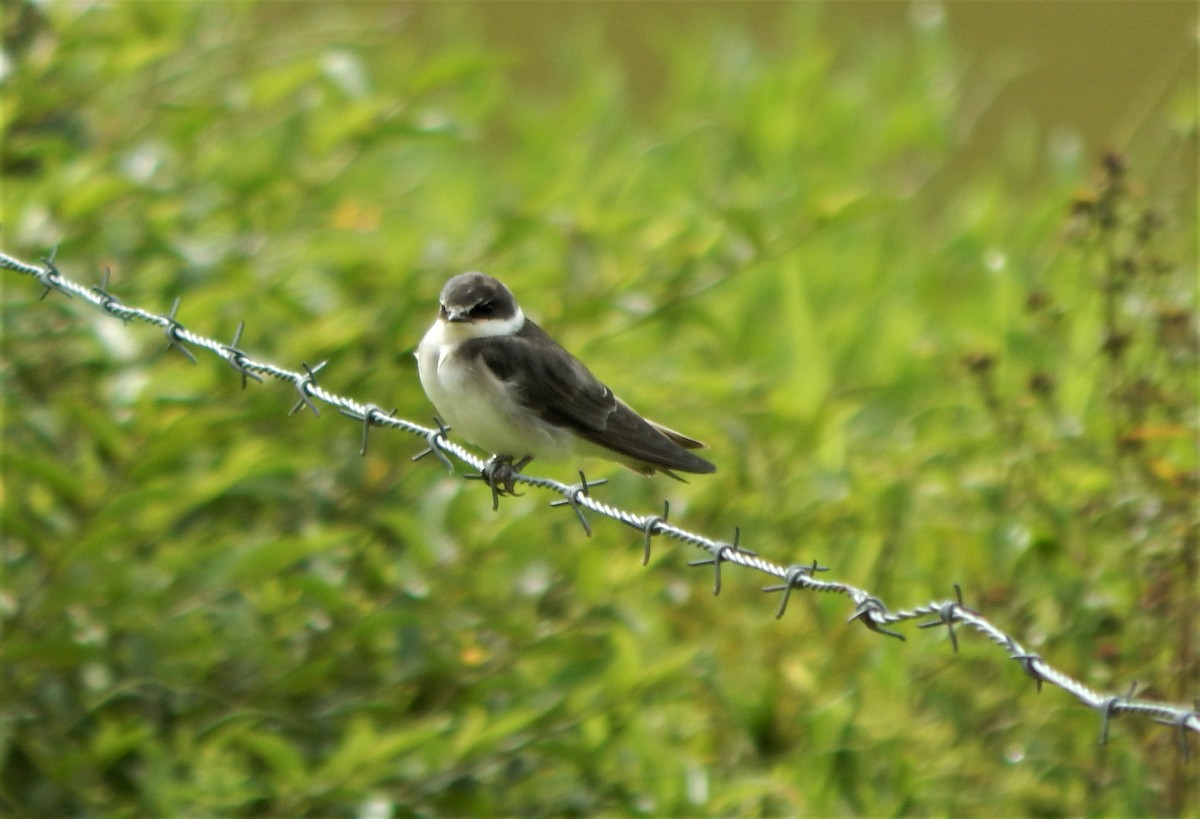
478	409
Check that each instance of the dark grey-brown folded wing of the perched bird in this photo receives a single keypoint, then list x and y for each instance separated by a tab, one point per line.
553	384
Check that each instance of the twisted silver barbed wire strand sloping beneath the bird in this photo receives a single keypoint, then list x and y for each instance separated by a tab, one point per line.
869	609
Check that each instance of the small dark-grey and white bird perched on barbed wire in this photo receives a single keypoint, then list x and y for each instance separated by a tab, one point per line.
502	384
